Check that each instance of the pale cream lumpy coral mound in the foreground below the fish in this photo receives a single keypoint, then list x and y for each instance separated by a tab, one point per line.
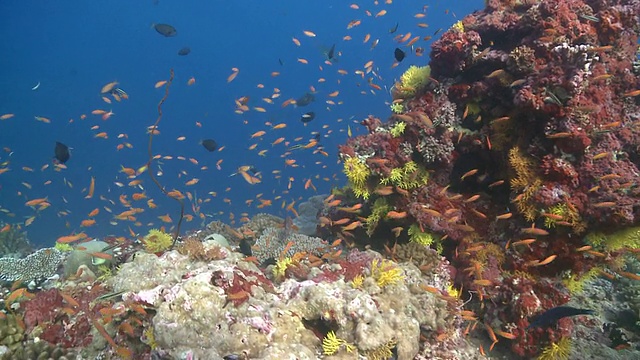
253	316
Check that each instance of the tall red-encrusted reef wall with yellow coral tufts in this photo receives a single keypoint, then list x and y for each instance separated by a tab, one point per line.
526	130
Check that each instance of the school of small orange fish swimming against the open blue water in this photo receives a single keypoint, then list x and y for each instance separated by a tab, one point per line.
137	195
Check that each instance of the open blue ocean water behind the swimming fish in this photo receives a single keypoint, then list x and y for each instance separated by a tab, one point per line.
73	48
